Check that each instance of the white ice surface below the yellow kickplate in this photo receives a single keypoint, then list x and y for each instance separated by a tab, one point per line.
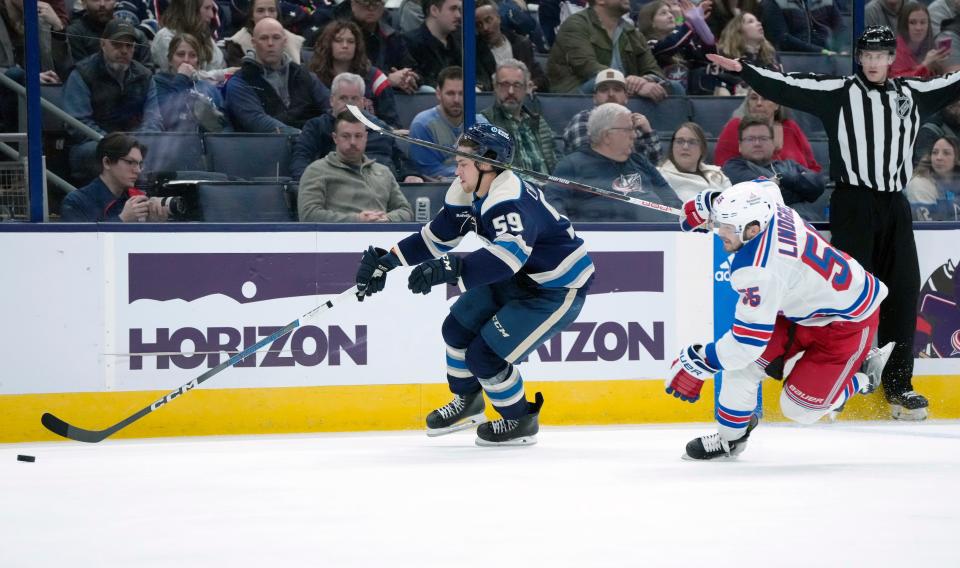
847	494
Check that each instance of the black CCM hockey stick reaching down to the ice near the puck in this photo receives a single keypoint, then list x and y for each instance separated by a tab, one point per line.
61	428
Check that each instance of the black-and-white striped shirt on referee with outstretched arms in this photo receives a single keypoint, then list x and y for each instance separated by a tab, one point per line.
870	128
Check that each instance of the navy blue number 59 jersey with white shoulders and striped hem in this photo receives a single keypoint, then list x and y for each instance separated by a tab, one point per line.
522	233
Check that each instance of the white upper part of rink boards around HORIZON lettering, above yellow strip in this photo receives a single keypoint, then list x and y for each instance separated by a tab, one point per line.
66	339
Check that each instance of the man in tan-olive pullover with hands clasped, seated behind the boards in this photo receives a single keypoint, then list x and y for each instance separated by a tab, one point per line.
346	186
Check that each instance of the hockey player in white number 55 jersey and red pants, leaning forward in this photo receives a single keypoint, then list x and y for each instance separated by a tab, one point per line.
797	295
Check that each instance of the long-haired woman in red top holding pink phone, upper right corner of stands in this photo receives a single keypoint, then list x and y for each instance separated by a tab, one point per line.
916	56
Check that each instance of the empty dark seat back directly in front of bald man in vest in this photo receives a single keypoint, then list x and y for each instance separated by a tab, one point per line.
246	156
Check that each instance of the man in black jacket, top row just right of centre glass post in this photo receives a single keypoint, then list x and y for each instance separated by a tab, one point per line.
495	45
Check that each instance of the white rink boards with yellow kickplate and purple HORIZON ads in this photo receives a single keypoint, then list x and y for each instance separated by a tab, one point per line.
94	297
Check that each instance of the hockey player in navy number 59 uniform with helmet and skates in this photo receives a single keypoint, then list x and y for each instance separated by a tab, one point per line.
524	286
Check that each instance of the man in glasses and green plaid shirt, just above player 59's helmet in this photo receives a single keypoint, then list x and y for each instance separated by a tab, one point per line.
531	135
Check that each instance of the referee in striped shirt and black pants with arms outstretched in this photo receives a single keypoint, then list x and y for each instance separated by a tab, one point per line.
871	122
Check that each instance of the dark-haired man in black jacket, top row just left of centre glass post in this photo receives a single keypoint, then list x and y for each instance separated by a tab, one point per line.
436	44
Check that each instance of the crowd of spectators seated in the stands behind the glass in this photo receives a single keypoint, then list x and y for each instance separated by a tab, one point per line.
291	67
